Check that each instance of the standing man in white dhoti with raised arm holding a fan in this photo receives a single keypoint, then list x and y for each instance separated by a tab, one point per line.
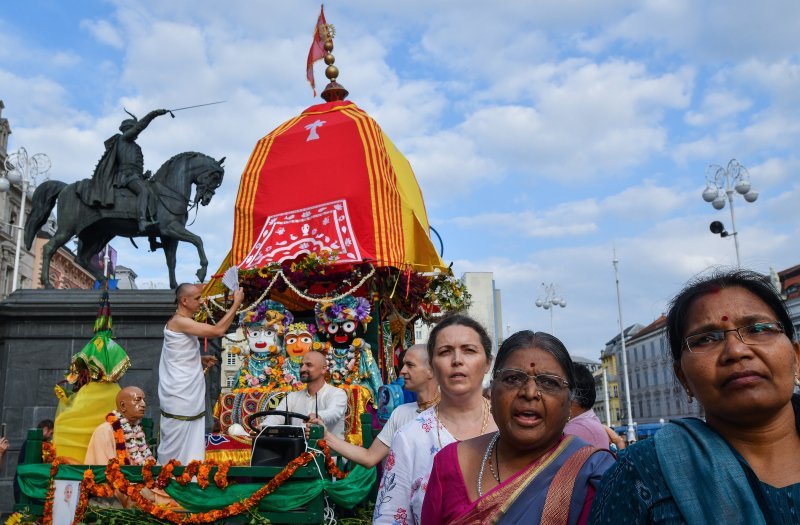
181	384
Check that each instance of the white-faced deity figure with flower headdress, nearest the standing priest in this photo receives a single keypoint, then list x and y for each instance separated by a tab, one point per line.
264	328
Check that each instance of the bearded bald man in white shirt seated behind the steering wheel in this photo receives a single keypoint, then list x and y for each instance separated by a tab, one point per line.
321	401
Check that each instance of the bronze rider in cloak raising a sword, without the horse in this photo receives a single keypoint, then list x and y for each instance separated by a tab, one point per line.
122	166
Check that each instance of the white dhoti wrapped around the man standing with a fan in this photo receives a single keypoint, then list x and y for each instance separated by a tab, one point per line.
182	392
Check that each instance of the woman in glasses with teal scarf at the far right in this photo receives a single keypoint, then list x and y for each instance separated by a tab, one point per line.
734	350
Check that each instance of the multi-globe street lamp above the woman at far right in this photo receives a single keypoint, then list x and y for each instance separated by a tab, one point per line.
724	181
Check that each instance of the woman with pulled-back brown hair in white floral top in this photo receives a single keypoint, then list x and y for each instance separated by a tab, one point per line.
460	353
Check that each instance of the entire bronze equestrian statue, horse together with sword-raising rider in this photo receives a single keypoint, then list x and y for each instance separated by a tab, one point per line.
122	200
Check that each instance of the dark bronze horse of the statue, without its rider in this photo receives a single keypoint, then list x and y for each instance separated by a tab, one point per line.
170	189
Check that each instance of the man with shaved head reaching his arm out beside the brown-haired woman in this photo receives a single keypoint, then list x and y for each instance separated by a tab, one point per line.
418	378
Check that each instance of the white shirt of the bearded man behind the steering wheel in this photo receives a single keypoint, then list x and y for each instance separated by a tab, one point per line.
332	403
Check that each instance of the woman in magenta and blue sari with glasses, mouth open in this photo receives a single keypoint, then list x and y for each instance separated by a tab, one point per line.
528	471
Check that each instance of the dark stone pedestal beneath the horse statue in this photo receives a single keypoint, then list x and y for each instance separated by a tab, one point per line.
40	331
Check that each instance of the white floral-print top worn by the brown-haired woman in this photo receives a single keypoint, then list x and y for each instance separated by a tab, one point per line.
408	467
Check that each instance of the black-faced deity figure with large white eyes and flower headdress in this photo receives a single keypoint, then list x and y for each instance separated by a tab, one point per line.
350	362
